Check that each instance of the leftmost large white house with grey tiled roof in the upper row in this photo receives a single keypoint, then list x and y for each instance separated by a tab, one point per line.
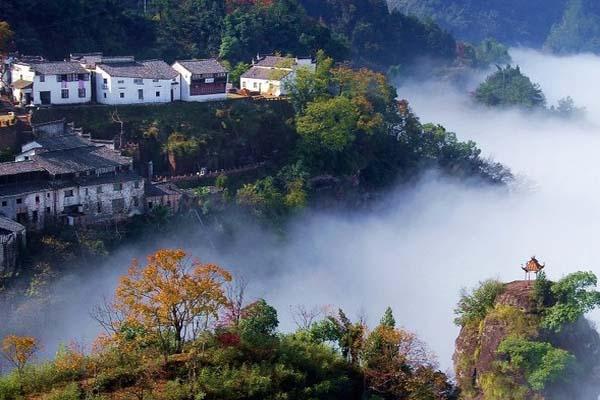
49	82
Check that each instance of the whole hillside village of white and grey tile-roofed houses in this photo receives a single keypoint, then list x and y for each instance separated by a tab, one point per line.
59	175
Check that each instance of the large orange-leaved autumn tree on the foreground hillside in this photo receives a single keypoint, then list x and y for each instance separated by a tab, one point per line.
172	295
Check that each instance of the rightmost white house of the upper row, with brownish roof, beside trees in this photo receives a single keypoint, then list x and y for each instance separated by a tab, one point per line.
269	75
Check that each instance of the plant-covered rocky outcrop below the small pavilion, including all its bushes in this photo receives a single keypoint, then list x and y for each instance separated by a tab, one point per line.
528	340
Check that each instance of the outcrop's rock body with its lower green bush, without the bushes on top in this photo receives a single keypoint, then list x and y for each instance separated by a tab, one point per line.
508	354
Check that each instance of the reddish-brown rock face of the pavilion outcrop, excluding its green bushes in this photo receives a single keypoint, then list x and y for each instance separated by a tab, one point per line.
516	312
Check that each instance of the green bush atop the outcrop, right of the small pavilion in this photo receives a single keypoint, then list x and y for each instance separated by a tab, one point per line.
573	295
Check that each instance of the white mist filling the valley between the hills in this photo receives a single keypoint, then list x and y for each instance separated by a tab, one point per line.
424	242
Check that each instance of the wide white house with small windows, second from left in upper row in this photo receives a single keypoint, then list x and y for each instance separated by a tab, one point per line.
126	81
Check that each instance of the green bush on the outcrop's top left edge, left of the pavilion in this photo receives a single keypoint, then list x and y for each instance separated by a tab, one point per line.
474	304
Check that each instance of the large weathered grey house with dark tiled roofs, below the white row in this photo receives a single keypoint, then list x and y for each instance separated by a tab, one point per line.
63	178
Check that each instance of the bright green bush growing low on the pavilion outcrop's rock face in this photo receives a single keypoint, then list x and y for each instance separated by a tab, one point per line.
540	362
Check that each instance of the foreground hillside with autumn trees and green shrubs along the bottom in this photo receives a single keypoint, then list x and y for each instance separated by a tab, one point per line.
179	329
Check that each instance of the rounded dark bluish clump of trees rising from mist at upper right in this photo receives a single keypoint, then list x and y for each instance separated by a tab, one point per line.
509	87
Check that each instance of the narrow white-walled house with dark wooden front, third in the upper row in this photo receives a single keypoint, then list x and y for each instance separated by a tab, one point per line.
202	80
